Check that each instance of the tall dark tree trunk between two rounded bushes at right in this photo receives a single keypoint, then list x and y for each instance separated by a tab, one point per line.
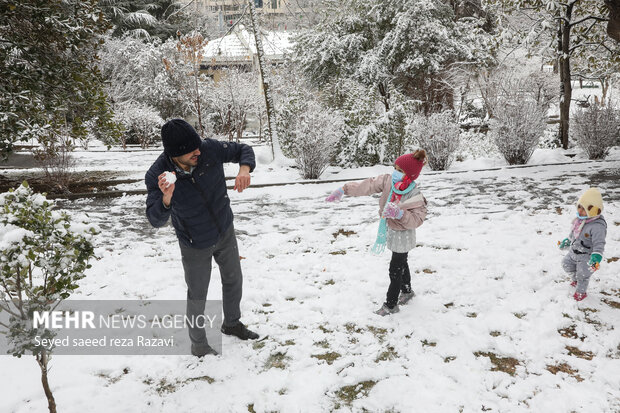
566	91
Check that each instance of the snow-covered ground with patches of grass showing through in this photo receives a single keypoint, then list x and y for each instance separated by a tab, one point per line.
493	326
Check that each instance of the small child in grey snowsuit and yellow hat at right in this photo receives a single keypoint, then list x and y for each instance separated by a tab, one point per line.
586	242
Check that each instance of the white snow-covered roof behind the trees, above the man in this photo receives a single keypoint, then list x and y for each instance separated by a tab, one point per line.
240	46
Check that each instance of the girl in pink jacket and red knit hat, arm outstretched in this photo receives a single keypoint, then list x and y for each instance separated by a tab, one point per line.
402	209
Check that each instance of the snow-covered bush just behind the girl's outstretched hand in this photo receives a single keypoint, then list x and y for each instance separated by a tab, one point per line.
315	133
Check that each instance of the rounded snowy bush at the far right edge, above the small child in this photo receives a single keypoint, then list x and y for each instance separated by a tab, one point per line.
597	129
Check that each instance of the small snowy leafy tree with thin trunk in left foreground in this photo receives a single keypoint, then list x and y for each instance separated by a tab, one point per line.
43	255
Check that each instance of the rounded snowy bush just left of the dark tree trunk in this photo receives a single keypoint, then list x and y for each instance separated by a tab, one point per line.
517	130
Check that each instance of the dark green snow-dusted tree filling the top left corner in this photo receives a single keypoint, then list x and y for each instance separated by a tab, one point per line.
50	81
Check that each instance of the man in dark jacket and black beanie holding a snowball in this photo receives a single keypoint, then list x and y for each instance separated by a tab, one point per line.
199	207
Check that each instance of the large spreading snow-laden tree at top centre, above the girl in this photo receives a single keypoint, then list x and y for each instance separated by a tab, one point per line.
404	46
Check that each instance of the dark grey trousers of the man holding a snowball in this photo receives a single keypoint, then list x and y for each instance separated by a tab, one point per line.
197	266
